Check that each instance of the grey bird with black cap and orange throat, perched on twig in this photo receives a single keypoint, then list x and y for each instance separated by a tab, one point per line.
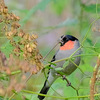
68	45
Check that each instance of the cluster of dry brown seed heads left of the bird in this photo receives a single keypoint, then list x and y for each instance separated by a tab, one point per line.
25	56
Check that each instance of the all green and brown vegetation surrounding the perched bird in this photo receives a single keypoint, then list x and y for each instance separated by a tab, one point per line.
24	23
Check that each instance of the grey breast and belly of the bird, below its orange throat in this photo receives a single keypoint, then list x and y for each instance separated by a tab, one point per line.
70	67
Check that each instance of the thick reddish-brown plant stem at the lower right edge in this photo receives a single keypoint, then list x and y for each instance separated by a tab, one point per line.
93	79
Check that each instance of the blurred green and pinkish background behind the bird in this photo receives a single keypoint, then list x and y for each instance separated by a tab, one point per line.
50	19
